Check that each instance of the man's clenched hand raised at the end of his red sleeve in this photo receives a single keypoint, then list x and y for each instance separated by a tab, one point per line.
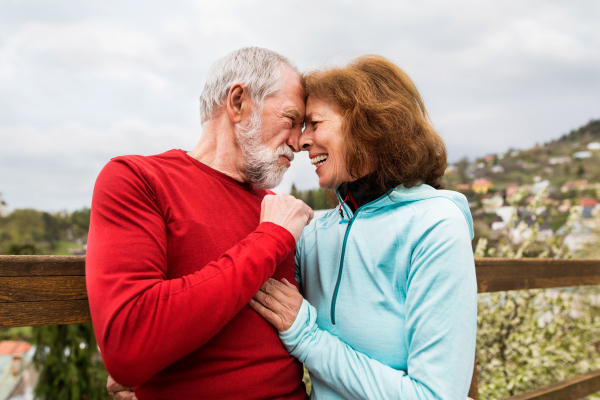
287	212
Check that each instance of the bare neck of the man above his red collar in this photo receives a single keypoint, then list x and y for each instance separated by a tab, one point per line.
219	150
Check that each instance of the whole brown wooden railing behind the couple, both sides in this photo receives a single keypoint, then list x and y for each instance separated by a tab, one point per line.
50	290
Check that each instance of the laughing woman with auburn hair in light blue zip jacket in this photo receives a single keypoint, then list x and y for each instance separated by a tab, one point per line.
388	278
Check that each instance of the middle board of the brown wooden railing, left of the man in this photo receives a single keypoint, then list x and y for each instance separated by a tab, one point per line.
16	289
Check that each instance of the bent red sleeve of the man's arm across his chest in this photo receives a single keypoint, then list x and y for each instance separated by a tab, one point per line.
143	321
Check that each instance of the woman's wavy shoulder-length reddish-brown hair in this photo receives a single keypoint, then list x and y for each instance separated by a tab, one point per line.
385	123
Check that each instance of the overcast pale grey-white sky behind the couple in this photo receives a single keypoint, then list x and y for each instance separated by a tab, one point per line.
82	81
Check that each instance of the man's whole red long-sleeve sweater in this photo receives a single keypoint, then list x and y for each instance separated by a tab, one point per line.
175	252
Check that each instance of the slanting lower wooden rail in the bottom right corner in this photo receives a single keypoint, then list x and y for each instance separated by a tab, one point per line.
574	388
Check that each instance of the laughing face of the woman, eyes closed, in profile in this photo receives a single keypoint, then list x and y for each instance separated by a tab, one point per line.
323	139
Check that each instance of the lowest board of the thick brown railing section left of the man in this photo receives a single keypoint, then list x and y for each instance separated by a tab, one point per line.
44	313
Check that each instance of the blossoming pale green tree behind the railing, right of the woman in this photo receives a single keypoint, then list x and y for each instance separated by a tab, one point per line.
527	339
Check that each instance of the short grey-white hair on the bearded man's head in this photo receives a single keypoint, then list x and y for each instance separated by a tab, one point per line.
260	70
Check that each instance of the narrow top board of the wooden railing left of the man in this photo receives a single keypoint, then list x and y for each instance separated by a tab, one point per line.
42	265
